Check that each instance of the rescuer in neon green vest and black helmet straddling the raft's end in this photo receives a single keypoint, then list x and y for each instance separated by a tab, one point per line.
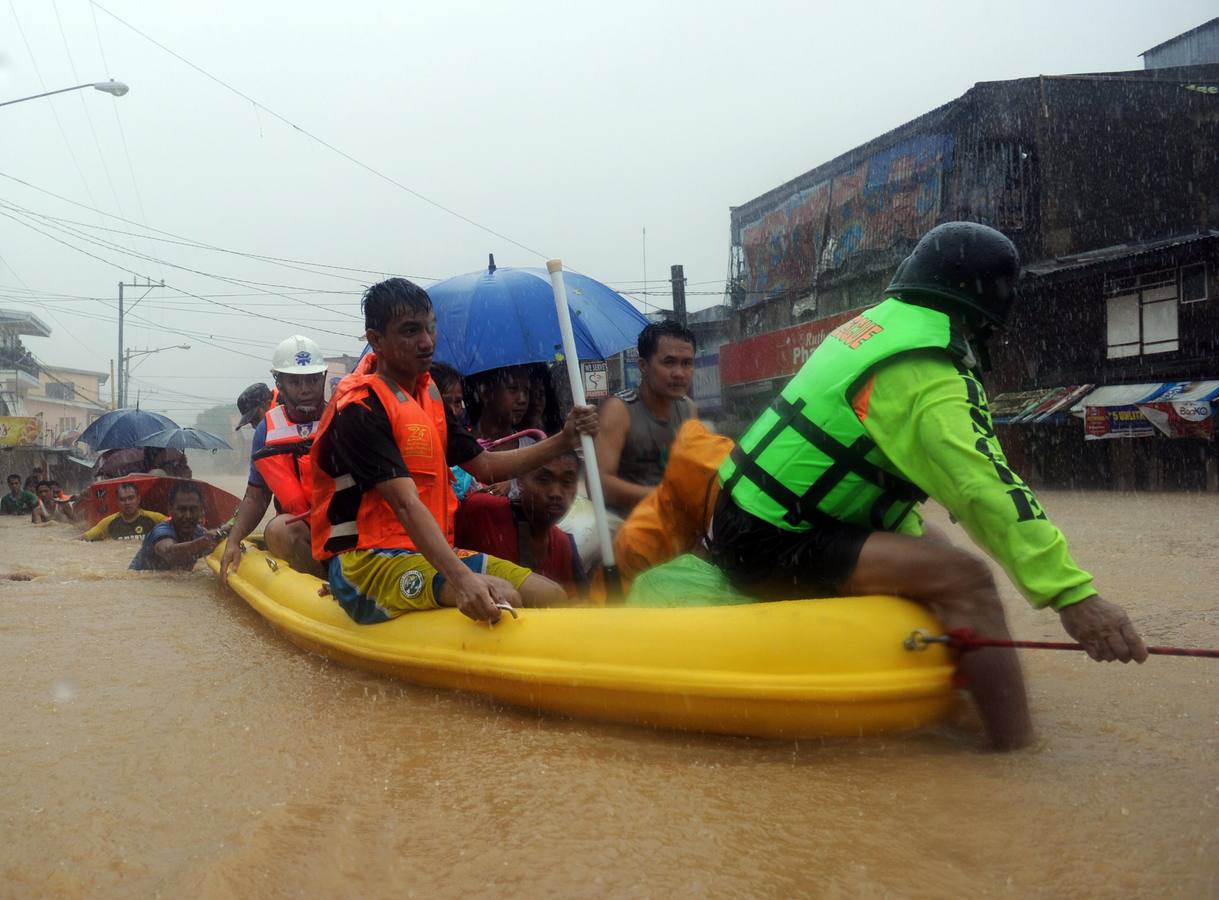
822	496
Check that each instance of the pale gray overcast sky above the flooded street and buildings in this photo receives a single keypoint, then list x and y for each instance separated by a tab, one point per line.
565	127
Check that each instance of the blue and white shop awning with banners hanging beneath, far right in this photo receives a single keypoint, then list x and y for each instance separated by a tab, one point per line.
1176	409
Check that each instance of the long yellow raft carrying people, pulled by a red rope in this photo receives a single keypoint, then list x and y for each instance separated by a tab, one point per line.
804	669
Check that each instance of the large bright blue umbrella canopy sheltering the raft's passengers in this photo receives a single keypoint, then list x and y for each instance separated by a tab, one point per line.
506	318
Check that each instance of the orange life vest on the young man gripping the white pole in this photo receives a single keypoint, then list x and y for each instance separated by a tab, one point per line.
421	434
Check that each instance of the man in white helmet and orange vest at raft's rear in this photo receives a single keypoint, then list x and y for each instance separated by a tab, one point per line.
280	463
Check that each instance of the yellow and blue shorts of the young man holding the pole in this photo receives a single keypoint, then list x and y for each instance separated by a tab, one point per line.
376	586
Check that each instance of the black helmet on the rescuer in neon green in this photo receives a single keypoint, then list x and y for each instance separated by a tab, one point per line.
961	268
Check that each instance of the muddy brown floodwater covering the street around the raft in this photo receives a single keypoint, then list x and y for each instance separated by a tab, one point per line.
158	738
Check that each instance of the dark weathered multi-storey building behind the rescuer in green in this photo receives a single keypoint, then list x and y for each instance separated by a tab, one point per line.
1107	184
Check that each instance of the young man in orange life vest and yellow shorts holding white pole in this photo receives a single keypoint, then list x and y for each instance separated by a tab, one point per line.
383	503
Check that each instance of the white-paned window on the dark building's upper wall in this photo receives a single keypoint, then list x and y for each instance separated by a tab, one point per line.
1142	314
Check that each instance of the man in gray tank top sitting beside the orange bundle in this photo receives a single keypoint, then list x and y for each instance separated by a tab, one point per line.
638	427
